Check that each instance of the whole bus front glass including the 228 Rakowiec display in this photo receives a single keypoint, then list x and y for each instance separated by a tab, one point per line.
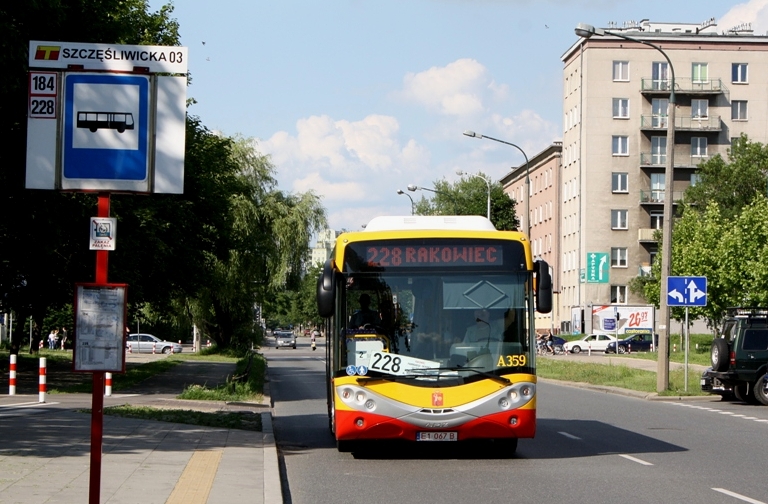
438	309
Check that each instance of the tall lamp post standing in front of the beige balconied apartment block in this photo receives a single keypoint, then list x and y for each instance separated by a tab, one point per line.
662	374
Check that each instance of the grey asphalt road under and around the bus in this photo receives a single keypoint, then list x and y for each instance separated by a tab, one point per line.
591	447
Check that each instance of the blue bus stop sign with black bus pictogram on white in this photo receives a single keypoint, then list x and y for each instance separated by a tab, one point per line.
106	127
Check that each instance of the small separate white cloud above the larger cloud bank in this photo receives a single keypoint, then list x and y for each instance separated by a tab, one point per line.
455	89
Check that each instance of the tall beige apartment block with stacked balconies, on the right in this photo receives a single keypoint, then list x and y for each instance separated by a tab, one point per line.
614	148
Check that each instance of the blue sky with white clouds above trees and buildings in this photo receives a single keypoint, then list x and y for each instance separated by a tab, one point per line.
355	99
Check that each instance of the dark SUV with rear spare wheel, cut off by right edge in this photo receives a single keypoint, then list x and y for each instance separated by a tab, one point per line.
740	357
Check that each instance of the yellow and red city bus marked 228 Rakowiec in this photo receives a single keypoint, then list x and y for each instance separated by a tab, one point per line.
448	353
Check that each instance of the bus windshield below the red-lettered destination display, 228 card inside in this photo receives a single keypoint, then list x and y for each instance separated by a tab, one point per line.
436	324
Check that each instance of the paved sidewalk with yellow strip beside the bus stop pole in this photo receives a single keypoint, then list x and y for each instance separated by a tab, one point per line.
45	448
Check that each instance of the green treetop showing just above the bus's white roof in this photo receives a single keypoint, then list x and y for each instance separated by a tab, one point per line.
469	196
